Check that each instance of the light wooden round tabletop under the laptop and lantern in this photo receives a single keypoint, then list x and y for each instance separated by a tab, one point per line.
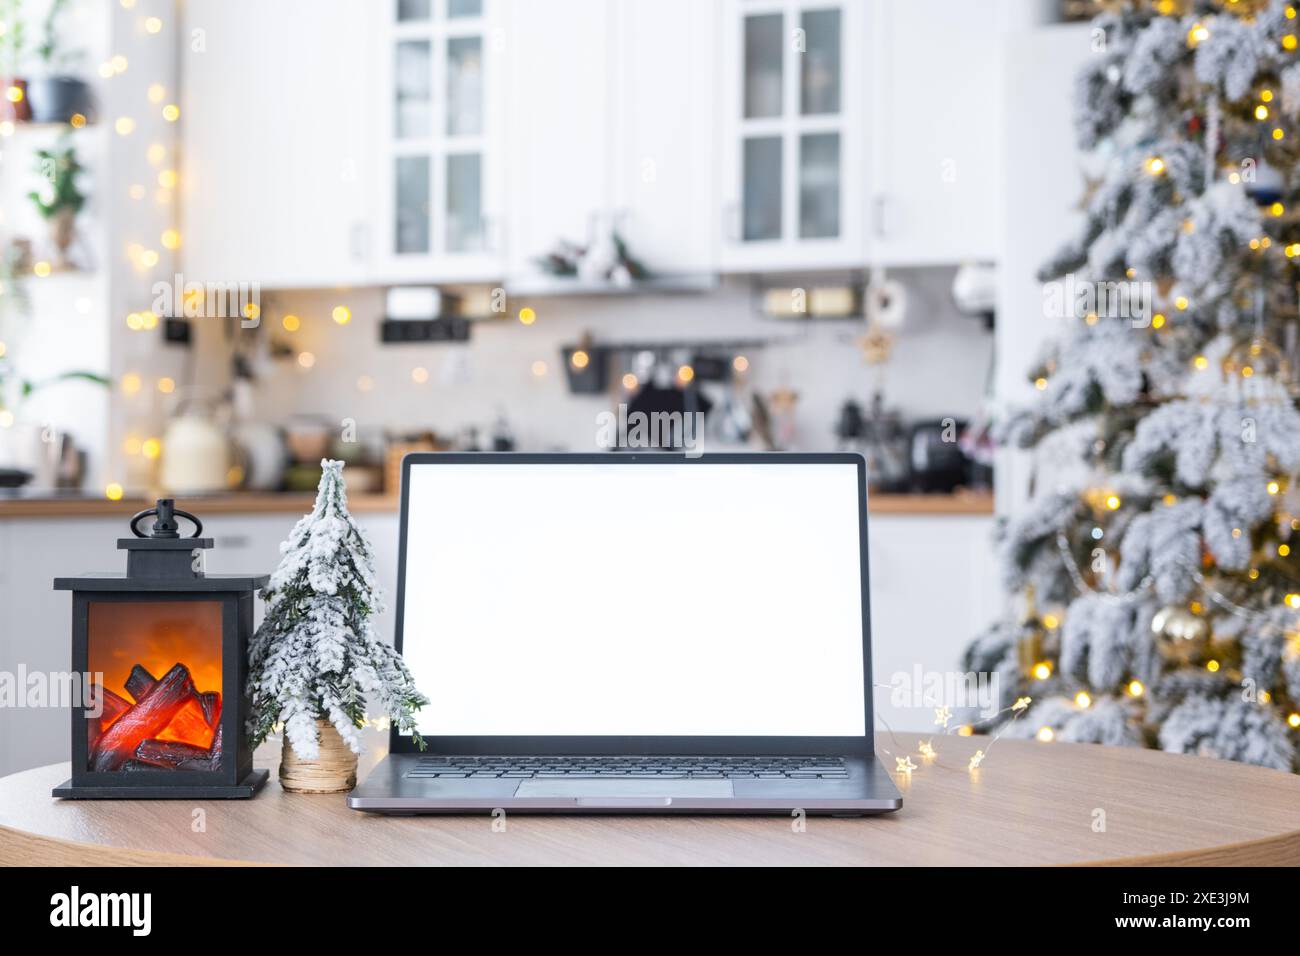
1030	803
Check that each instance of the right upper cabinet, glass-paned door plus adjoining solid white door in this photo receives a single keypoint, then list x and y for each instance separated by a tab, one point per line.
860	133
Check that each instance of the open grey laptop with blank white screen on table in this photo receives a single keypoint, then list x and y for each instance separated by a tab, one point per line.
635	634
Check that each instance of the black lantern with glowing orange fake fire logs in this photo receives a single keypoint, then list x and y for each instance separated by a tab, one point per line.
166	650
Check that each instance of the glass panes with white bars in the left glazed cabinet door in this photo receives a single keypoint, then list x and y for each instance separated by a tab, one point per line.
439	133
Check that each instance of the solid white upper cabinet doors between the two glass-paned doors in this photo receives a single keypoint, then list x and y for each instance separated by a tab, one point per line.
612	128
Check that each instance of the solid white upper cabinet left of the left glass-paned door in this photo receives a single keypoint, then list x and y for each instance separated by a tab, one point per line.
276	141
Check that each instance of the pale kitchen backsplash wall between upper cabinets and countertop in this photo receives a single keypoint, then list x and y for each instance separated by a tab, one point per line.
939	366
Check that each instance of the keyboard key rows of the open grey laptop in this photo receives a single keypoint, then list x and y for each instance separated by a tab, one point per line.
714	768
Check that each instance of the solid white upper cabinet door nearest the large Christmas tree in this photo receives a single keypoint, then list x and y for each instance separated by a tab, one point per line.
938	133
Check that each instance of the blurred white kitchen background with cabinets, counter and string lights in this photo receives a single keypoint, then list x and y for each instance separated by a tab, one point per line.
478	224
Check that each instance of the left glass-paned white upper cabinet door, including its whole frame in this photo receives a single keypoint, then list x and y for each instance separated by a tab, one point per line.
441	159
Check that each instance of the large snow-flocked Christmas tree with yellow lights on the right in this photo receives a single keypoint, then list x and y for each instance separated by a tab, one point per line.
1158	590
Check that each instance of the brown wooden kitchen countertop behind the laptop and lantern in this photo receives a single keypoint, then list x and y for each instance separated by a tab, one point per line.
79	505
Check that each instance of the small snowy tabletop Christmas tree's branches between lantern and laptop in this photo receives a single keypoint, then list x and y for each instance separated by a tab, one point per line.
315	657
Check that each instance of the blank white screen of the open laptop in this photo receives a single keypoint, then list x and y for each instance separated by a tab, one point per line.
635	600
